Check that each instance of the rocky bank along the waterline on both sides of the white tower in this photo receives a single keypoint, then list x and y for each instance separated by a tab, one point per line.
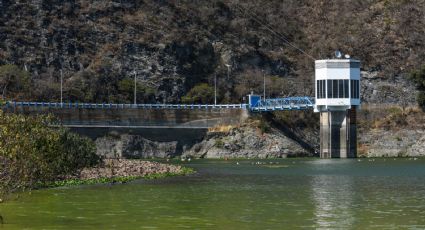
383	131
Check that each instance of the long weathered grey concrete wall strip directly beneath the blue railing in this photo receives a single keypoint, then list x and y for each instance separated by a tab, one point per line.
167	118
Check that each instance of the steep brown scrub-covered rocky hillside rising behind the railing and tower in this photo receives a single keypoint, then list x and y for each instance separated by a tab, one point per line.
173	45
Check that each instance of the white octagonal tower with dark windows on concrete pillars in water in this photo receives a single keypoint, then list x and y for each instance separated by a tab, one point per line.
337	98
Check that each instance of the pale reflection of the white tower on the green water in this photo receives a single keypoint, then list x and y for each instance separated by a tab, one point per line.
333	197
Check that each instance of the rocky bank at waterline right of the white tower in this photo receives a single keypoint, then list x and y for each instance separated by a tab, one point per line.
391	131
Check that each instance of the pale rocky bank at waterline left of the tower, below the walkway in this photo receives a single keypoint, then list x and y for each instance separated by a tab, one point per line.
244	141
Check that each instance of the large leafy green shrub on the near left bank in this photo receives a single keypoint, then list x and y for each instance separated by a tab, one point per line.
32	153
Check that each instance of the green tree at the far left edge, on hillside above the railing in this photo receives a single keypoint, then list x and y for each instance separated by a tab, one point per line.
13	80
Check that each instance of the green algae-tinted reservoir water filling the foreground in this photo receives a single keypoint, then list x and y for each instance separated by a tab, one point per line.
244	194
